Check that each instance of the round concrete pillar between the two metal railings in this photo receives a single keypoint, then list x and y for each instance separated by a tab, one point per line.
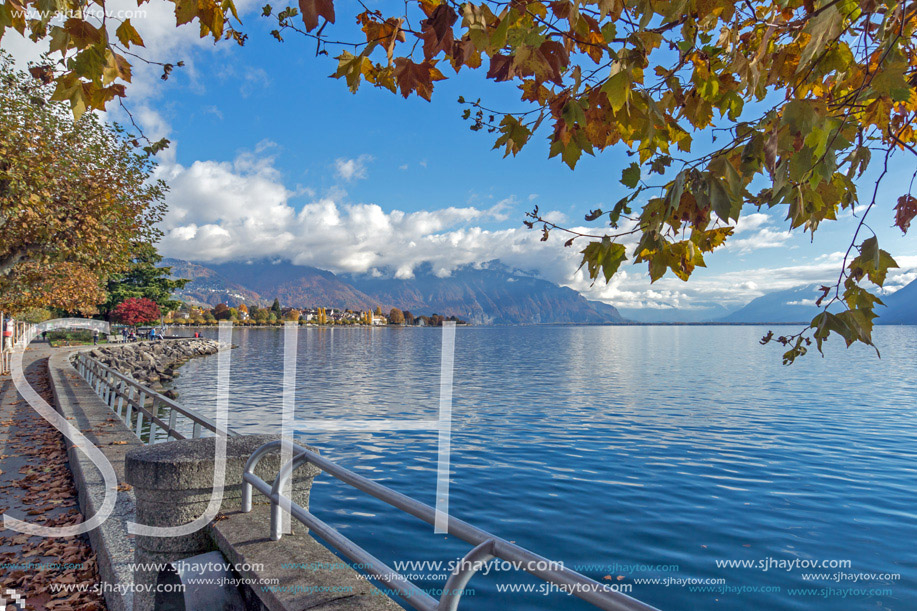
172	484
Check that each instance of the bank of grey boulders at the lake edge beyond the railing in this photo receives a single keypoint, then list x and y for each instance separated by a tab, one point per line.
154	363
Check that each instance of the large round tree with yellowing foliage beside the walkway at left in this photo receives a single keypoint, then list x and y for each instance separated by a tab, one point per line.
74	197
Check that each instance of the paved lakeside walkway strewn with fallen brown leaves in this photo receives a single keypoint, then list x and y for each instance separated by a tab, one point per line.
36	485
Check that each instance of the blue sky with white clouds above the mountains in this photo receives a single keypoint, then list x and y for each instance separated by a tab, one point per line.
272	158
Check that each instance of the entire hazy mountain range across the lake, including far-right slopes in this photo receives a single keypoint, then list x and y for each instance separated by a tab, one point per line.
491	293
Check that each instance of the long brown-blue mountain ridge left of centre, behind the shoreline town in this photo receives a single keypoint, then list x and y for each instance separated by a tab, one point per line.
489	294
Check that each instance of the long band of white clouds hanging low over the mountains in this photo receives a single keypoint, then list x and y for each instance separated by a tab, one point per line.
241	210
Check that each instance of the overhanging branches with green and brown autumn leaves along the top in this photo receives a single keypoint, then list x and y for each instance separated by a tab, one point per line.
723	105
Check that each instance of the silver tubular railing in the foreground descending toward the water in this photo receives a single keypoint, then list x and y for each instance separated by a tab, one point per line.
487	546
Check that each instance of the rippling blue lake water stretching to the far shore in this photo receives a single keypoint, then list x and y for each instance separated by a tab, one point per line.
670	448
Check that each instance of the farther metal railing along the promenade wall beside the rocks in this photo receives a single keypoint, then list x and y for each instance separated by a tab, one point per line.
138	405
